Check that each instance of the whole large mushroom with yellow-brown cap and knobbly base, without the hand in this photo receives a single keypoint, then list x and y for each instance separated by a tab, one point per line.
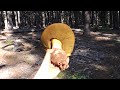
59	36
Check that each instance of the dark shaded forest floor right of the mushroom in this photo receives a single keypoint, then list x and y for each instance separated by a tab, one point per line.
96	57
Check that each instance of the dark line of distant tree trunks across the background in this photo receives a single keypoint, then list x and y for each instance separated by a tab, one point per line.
75	19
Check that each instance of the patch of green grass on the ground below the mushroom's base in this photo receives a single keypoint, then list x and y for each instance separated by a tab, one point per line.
69	75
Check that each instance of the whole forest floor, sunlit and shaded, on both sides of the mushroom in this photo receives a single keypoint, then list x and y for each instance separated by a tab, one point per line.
94	57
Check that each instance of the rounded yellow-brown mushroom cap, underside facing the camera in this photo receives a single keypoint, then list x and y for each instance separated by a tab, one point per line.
63	33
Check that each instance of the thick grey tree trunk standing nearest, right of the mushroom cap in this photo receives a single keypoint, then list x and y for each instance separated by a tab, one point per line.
87	24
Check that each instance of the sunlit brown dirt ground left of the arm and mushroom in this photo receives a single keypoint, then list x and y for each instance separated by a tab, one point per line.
23	63
